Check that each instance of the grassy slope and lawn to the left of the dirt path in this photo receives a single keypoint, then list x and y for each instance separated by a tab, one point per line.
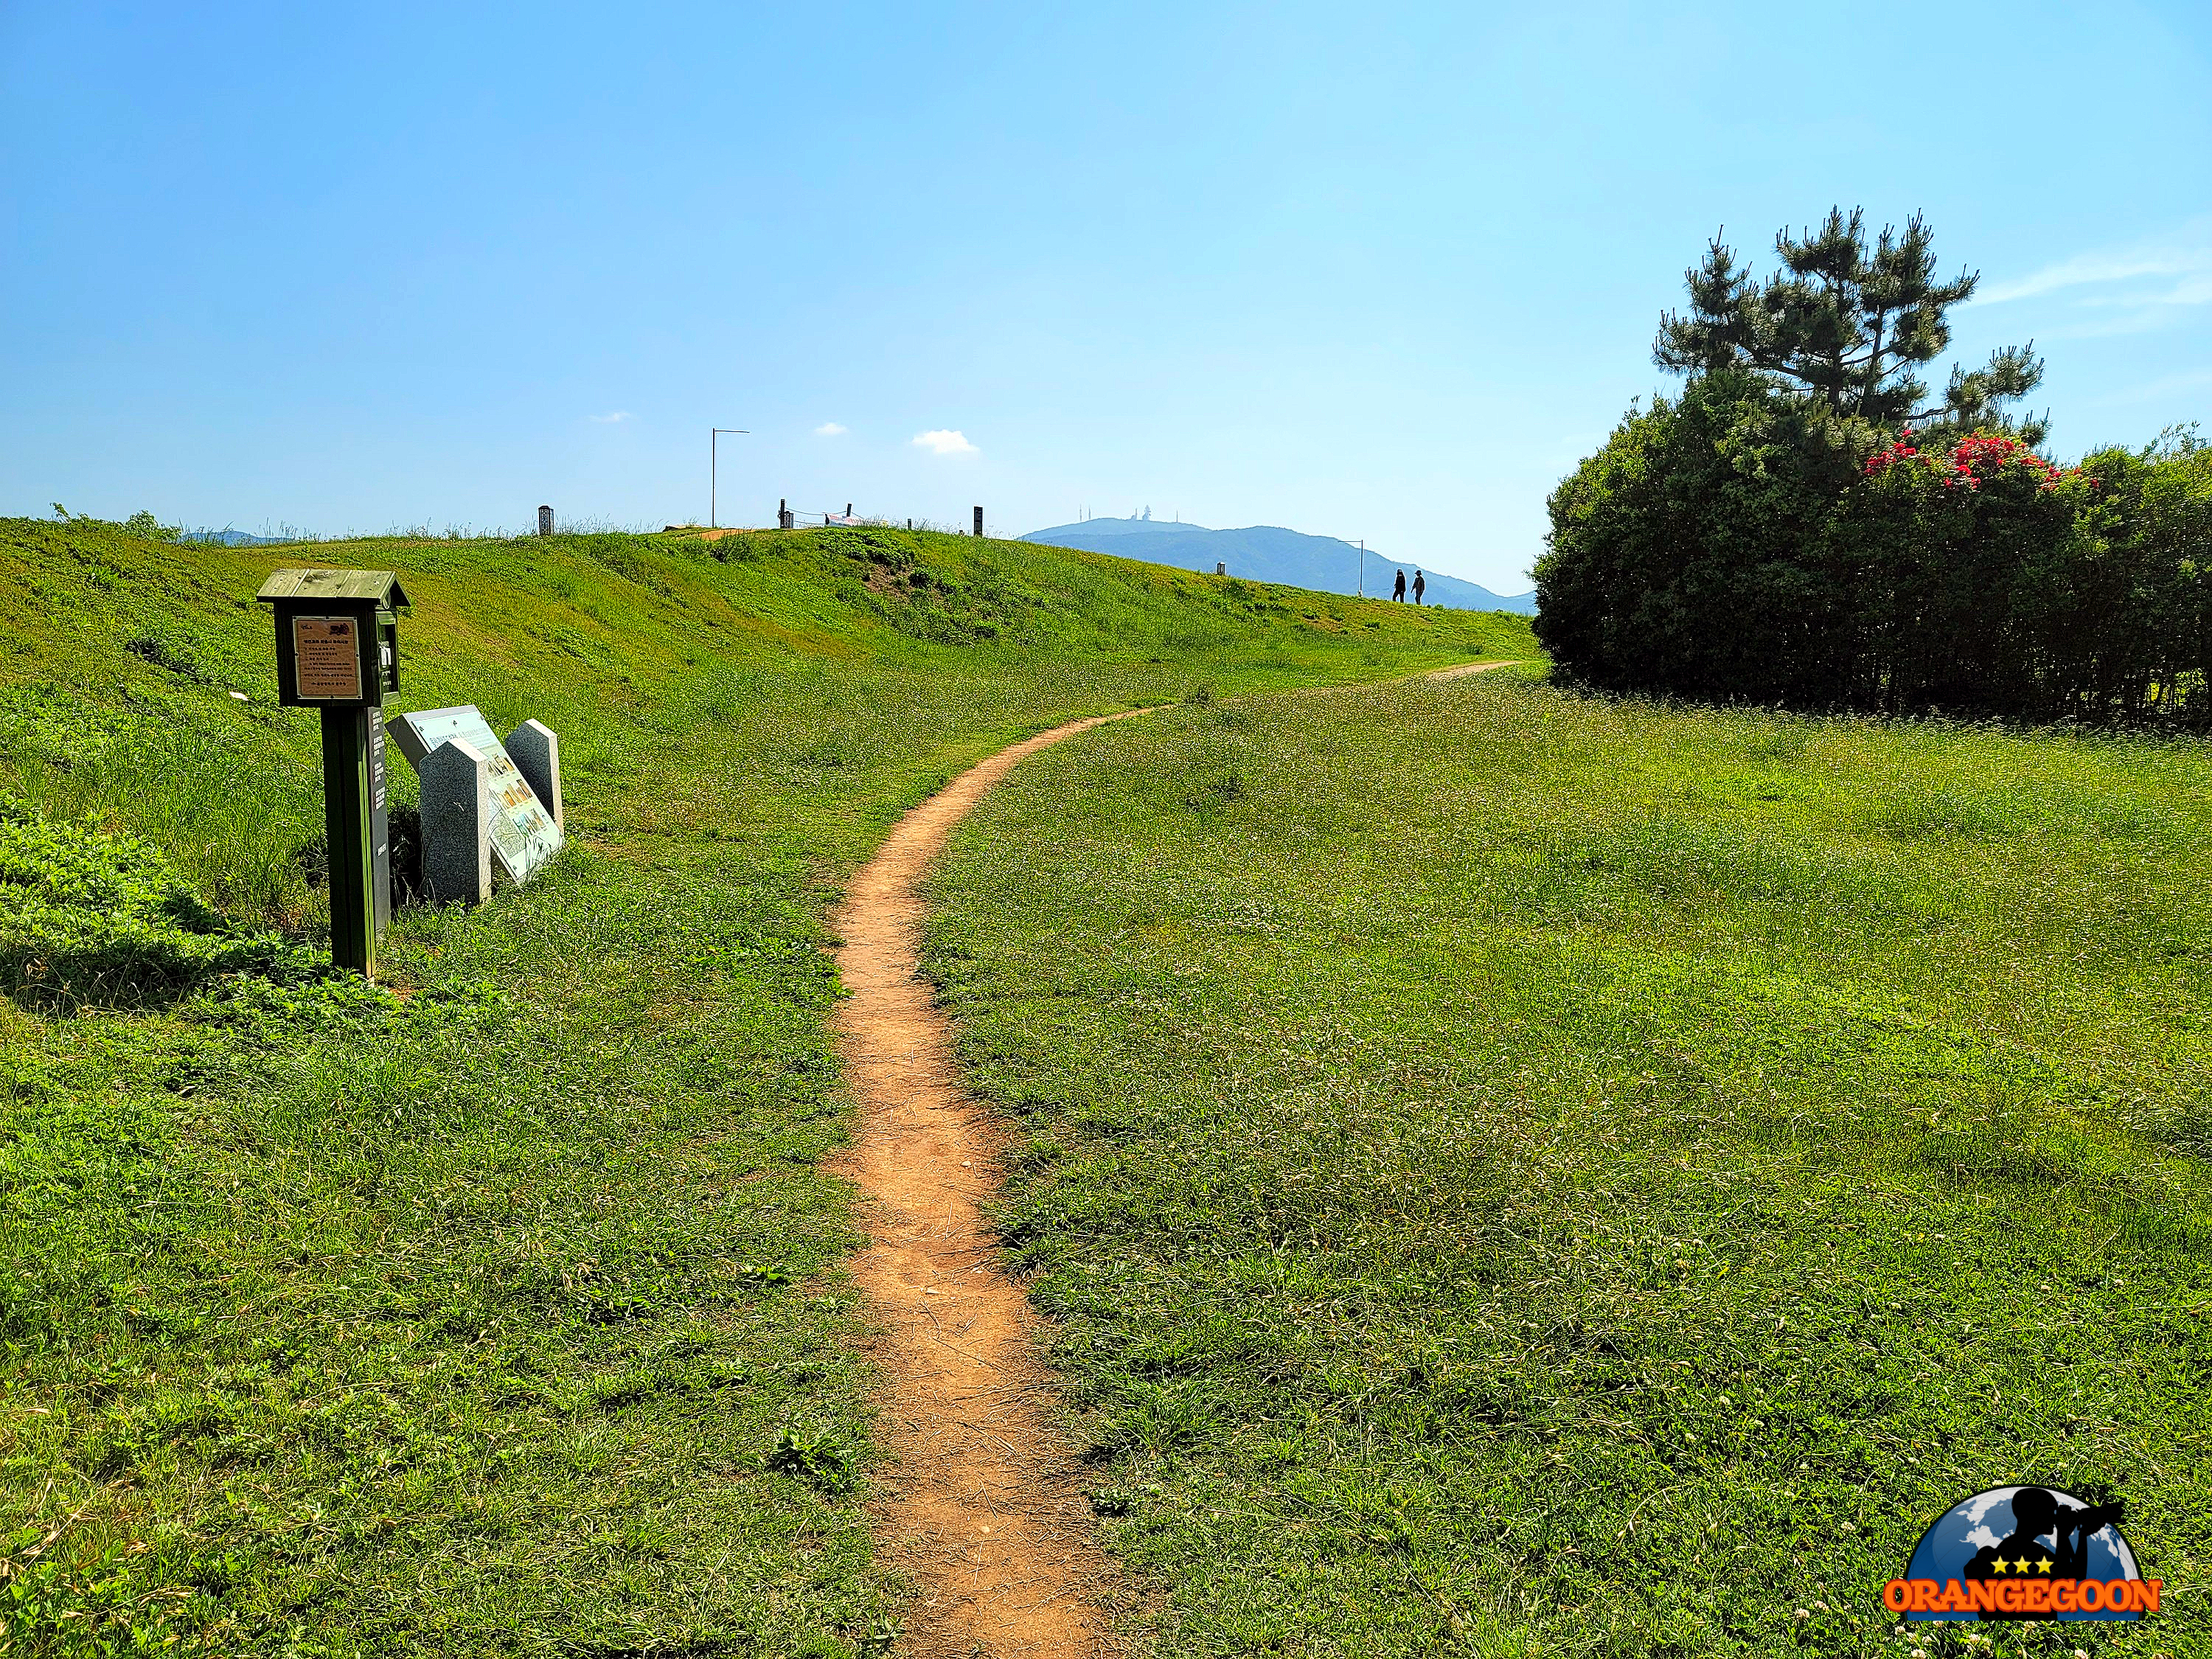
501	1317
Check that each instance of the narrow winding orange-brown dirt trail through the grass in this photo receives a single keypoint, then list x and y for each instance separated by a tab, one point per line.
985	1510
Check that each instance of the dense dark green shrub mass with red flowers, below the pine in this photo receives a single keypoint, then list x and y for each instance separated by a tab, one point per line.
1744	545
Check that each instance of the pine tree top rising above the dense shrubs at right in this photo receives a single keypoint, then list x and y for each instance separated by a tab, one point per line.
1844	324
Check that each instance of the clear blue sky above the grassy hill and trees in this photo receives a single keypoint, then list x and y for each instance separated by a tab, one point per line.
1364	271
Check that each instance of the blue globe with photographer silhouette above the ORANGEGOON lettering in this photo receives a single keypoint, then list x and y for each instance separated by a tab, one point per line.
2025	1534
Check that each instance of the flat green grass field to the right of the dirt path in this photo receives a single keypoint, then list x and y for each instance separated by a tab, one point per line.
1536	1176
